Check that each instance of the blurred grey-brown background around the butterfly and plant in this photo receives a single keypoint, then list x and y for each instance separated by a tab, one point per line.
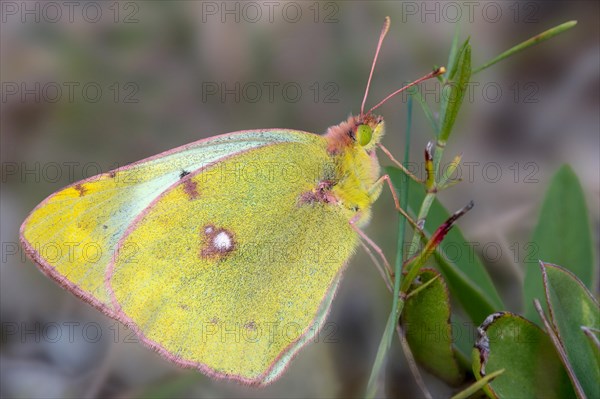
89	86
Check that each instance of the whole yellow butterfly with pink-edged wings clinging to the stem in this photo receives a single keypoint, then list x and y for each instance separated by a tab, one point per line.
225	254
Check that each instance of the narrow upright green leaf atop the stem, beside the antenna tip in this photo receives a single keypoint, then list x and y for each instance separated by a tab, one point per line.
454	91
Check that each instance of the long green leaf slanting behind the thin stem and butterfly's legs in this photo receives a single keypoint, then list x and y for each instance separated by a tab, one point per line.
464	273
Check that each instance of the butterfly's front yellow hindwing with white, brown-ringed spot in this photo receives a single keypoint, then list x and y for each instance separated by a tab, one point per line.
235	269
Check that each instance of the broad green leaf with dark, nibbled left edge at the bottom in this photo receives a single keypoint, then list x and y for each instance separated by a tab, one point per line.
532	367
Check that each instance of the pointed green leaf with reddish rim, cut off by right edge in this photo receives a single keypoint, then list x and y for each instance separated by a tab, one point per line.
572	307
